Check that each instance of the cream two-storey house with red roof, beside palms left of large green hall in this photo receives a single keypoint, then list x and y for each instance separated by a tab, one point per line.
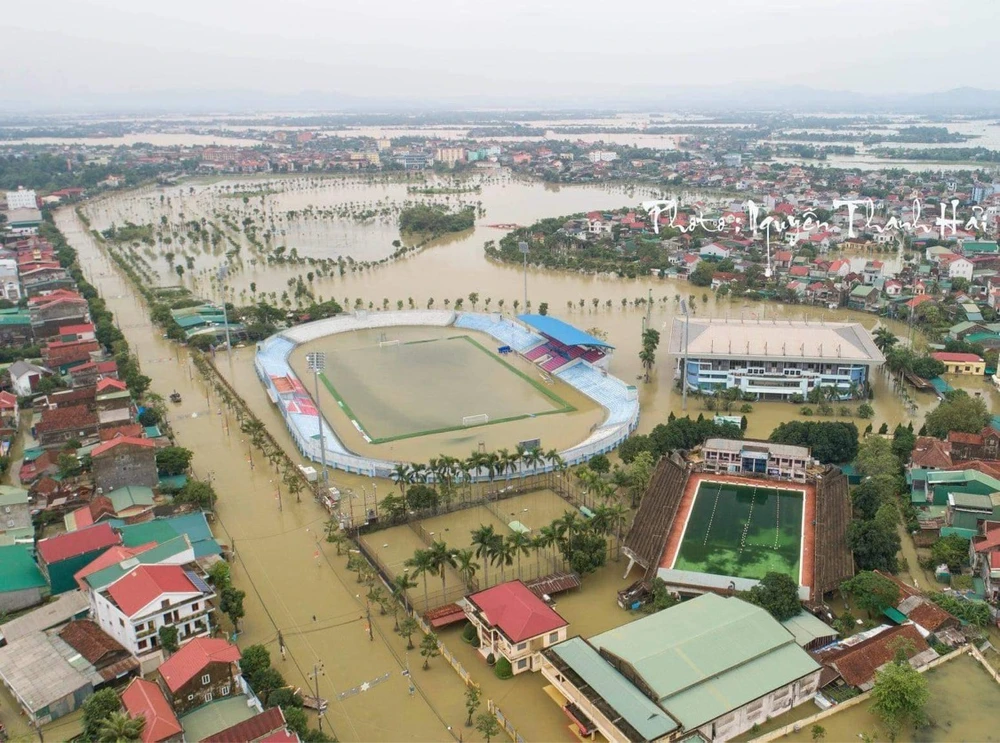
513	622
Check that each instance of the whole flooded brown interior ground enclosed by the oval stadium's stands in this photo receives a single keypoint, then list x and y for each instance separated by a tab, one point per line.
411	399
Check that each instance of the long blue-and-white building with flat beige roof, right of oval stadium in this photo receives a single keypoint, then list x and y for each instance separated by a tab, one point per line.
773	359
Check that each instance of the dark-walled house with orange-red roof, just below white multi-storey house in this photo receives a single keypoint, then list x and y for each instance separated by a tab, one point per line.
203	670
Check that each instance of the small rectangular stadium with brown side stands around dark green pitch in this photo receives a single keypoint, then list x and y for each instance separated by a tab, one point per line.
704	528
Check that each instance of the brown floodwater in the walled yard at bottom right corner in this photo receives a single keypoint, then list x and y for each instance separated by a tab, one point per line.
962	705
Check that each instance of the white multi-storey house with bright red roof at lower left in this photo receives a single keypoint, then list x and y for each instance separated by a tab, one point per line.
148	597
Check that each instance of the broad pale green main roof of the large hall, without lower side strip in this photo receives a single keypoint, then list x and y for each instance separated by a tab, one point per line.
709	656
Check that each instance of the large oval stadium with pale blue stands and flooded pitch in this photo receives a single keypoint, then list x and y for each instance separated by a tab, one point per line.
410	385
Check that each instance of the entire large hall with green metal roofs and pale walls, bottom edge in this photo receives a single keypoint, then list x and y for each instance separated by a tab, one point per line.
711	666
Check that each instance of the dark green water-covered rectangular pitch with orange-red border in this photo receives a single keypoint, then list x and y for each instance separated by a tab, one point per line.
742	531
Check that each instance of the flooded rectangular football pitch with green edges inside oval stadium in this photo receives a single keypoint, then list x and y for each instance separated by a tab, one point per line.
417	388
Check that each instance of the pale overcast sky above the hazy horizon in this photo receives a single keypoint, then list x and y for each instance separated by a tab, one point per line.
71	50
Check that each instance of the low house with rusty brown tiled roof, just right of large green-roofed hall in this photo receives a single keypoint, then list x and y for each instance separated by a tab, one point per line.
855	664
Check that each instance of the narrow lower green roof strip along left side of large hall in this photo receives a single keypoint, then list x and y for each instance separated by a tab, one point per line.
637	709
